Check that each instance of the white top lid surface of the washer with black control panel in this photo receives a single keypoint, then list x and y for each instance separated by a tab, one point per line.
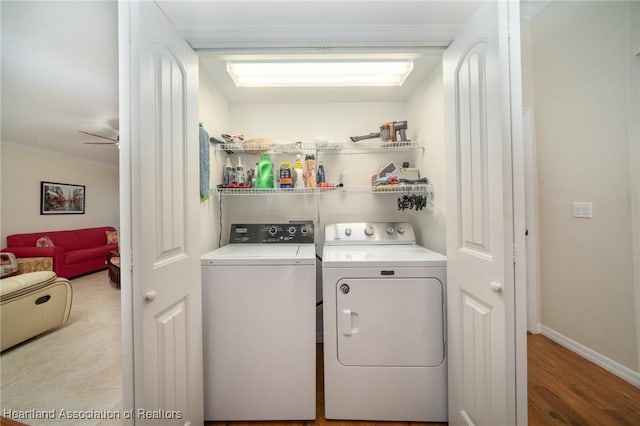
261	254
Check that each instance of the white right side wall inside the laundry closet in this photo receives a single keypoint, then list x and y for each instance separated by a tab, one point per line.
426	116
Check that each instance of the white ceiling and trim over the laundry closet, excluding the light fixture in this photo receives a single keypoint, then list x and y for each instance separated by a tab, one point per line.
221	29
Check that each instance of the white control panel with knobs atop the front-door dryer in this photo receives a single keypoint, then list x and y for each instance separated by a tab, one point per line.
369	233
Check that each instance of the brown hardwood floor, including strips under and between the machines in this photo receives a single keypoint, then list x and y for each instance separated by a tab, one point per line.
564	389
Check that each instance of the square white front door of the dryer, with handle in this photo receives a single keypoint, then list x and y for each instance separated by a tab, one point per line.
390	322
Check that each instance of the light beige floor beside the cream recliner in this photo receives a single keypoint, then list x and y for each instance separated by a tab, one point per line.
75	368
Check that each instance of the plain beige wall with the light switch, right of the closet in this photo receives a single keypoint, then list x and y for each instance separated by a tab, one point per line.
580	81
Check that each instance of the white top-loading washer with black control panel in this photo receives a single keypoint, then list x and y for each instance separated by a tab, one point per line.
259	308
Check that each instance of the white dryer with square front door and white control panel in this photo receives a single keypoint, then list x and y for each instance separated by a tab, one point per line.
384	325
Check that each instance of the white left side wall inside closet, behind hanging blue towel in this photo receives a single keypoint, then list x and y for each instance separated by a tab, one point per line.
214	116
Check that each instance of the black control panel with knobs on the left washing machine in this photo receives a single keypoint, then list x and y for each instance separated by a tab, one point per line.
259	233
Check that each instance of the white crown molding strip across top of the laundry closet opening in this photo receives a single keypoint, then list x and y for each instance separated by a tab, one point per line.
318	36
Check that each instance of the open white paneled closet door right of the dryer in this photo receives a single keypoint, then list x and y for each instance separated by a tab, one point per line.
480	288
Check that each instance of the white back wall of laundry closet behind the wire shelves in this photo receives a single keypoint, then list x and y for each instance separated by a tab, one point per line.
284	123
